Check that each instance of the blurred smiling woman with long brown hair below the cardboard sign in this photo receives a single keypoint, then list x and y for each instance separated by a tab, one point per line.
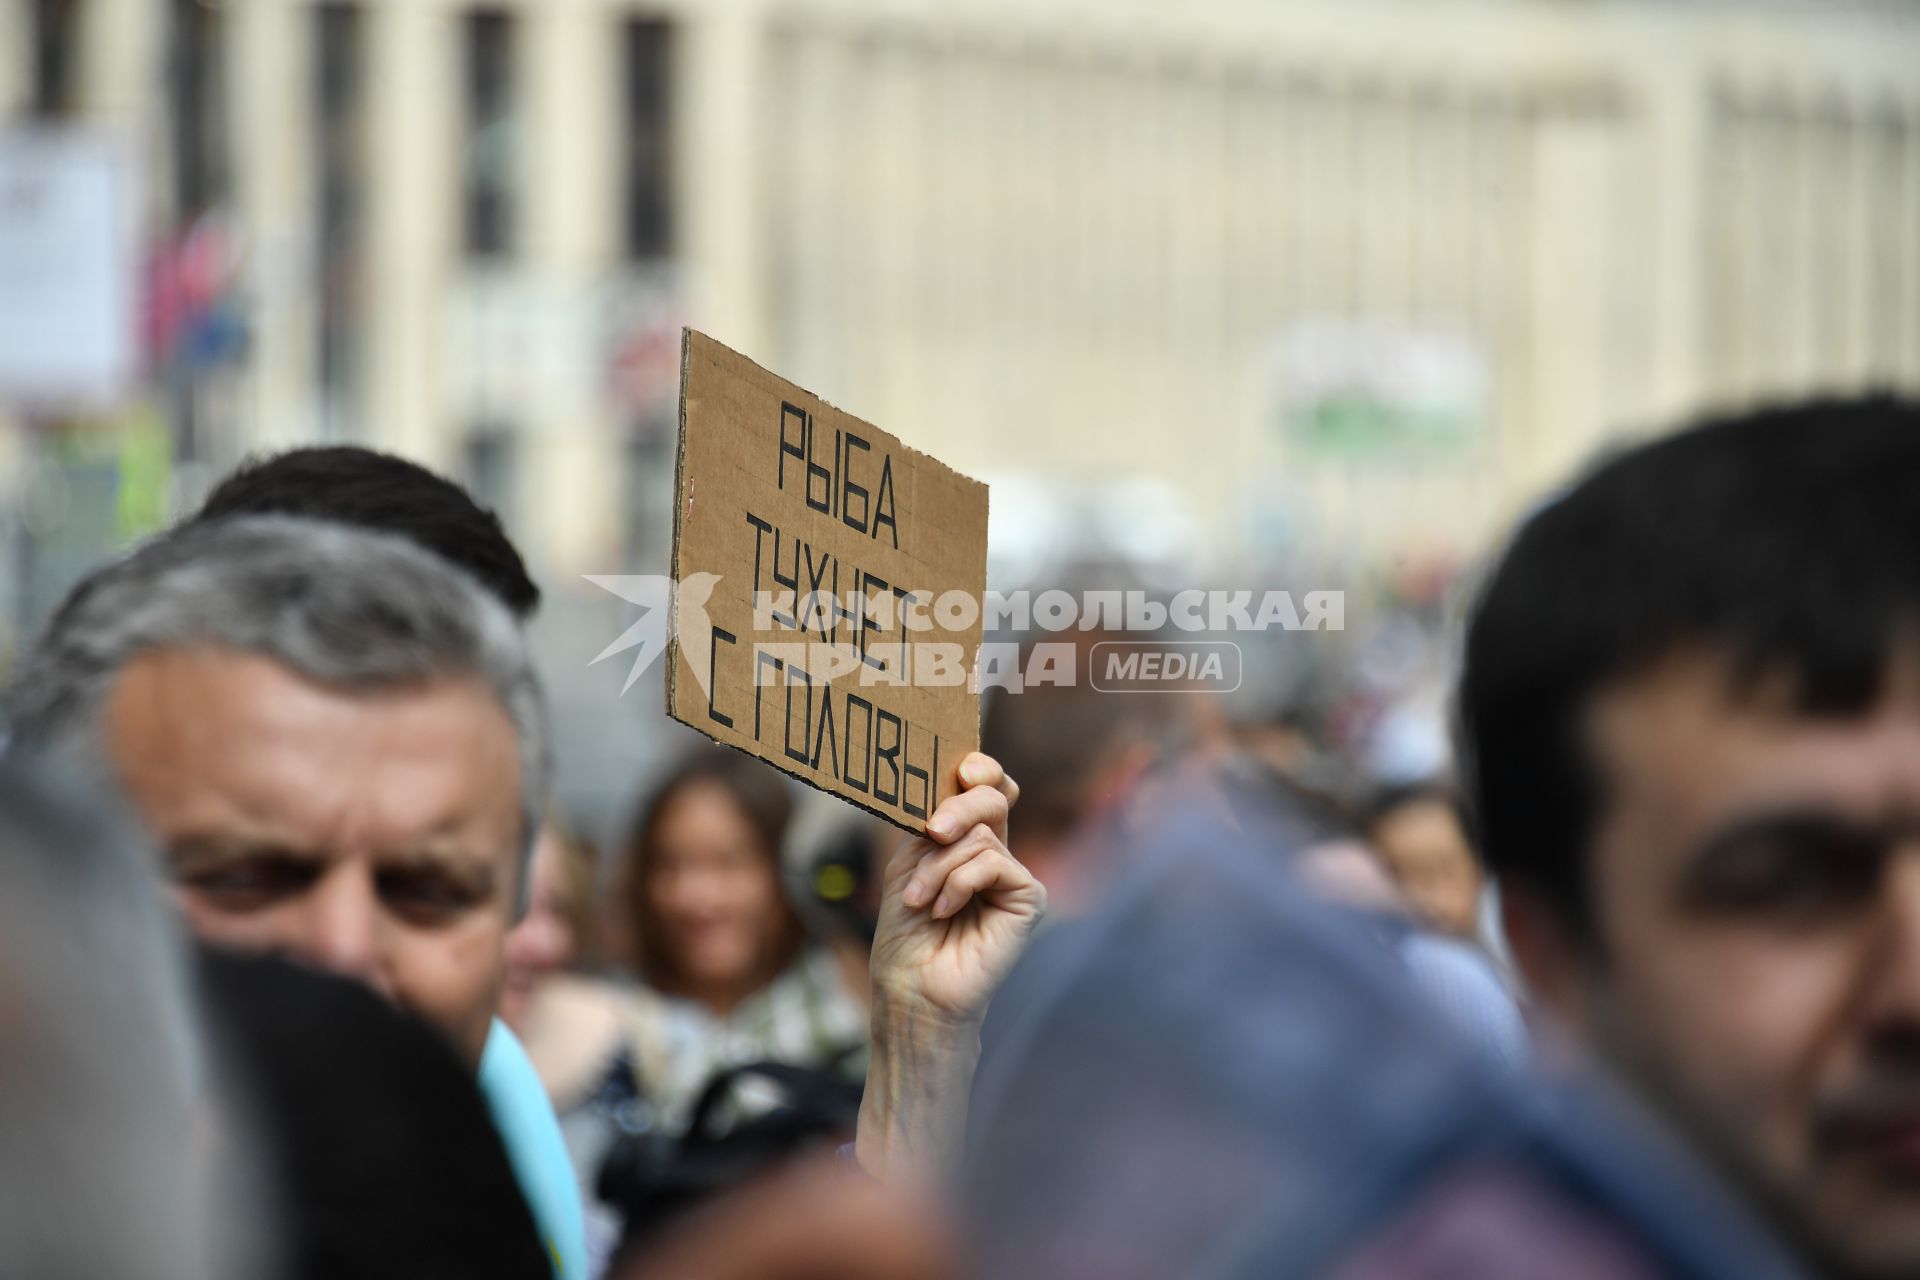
744	1047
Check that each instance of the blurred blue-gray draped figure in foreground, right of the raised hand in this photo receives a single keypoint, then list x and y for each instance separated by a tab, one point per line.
1216	1074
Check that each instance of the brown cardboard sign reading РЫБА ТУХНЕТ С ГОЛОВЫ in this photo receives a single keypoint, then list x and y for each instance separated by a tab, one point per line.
828	590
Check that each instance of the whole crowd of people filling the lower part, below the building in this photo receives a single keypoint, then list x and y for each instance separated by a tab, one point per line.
304	976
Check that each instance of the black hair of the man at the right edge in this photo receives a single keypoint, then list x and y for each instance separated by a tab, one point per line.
1785	542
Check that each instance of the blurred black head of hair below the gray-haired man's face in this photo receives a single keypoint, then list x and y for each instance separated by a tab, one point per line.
379	1145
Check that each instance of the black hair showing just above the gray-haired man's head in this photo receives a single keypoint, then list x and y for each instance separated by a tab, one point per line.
387	494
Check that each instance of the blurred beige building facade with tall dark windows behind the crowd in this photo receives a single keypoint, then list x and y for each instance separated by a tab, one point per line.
1232	281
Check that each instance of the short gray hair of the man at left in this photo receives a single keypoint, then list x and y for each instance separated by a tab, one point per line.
345	607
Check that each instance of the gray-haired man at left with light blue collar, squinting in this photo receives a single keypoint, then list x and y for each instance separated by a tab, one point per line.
339	746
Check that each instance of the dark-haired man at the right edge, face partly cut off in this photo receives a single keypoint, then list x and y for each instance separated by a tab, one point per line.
1691	726
